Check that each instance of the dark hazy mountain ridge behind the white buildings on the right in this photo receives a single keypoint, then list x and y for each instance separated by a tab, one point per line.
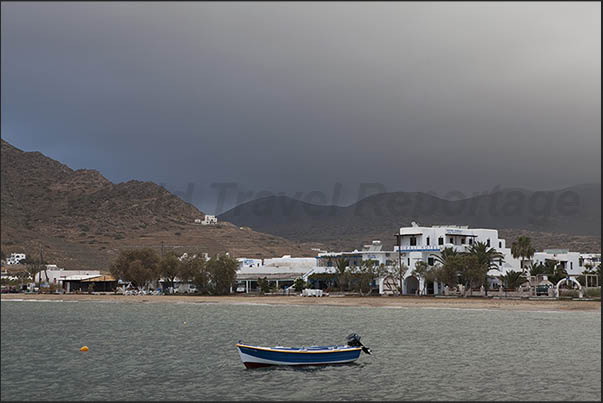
554	219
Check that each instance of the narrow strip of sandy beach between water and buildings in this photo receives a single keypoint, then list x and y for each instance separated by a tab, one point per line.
387	302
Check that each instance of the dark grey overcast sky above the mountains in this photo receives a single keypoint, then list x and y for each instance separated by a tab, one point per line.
295	97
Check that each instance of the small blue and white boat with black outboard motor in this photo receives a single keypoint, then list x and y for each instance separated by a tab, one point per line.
256	356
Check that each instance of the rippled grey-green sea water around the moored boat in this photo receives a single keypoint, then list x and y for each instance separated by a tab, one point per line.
186	352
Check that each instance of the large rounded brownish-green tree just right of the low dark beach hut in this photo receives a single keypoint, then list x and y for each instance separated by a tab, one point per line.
139	266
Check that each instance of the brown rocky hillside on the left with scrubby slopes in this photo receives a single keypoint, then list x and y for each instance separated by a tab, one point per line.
79	219
